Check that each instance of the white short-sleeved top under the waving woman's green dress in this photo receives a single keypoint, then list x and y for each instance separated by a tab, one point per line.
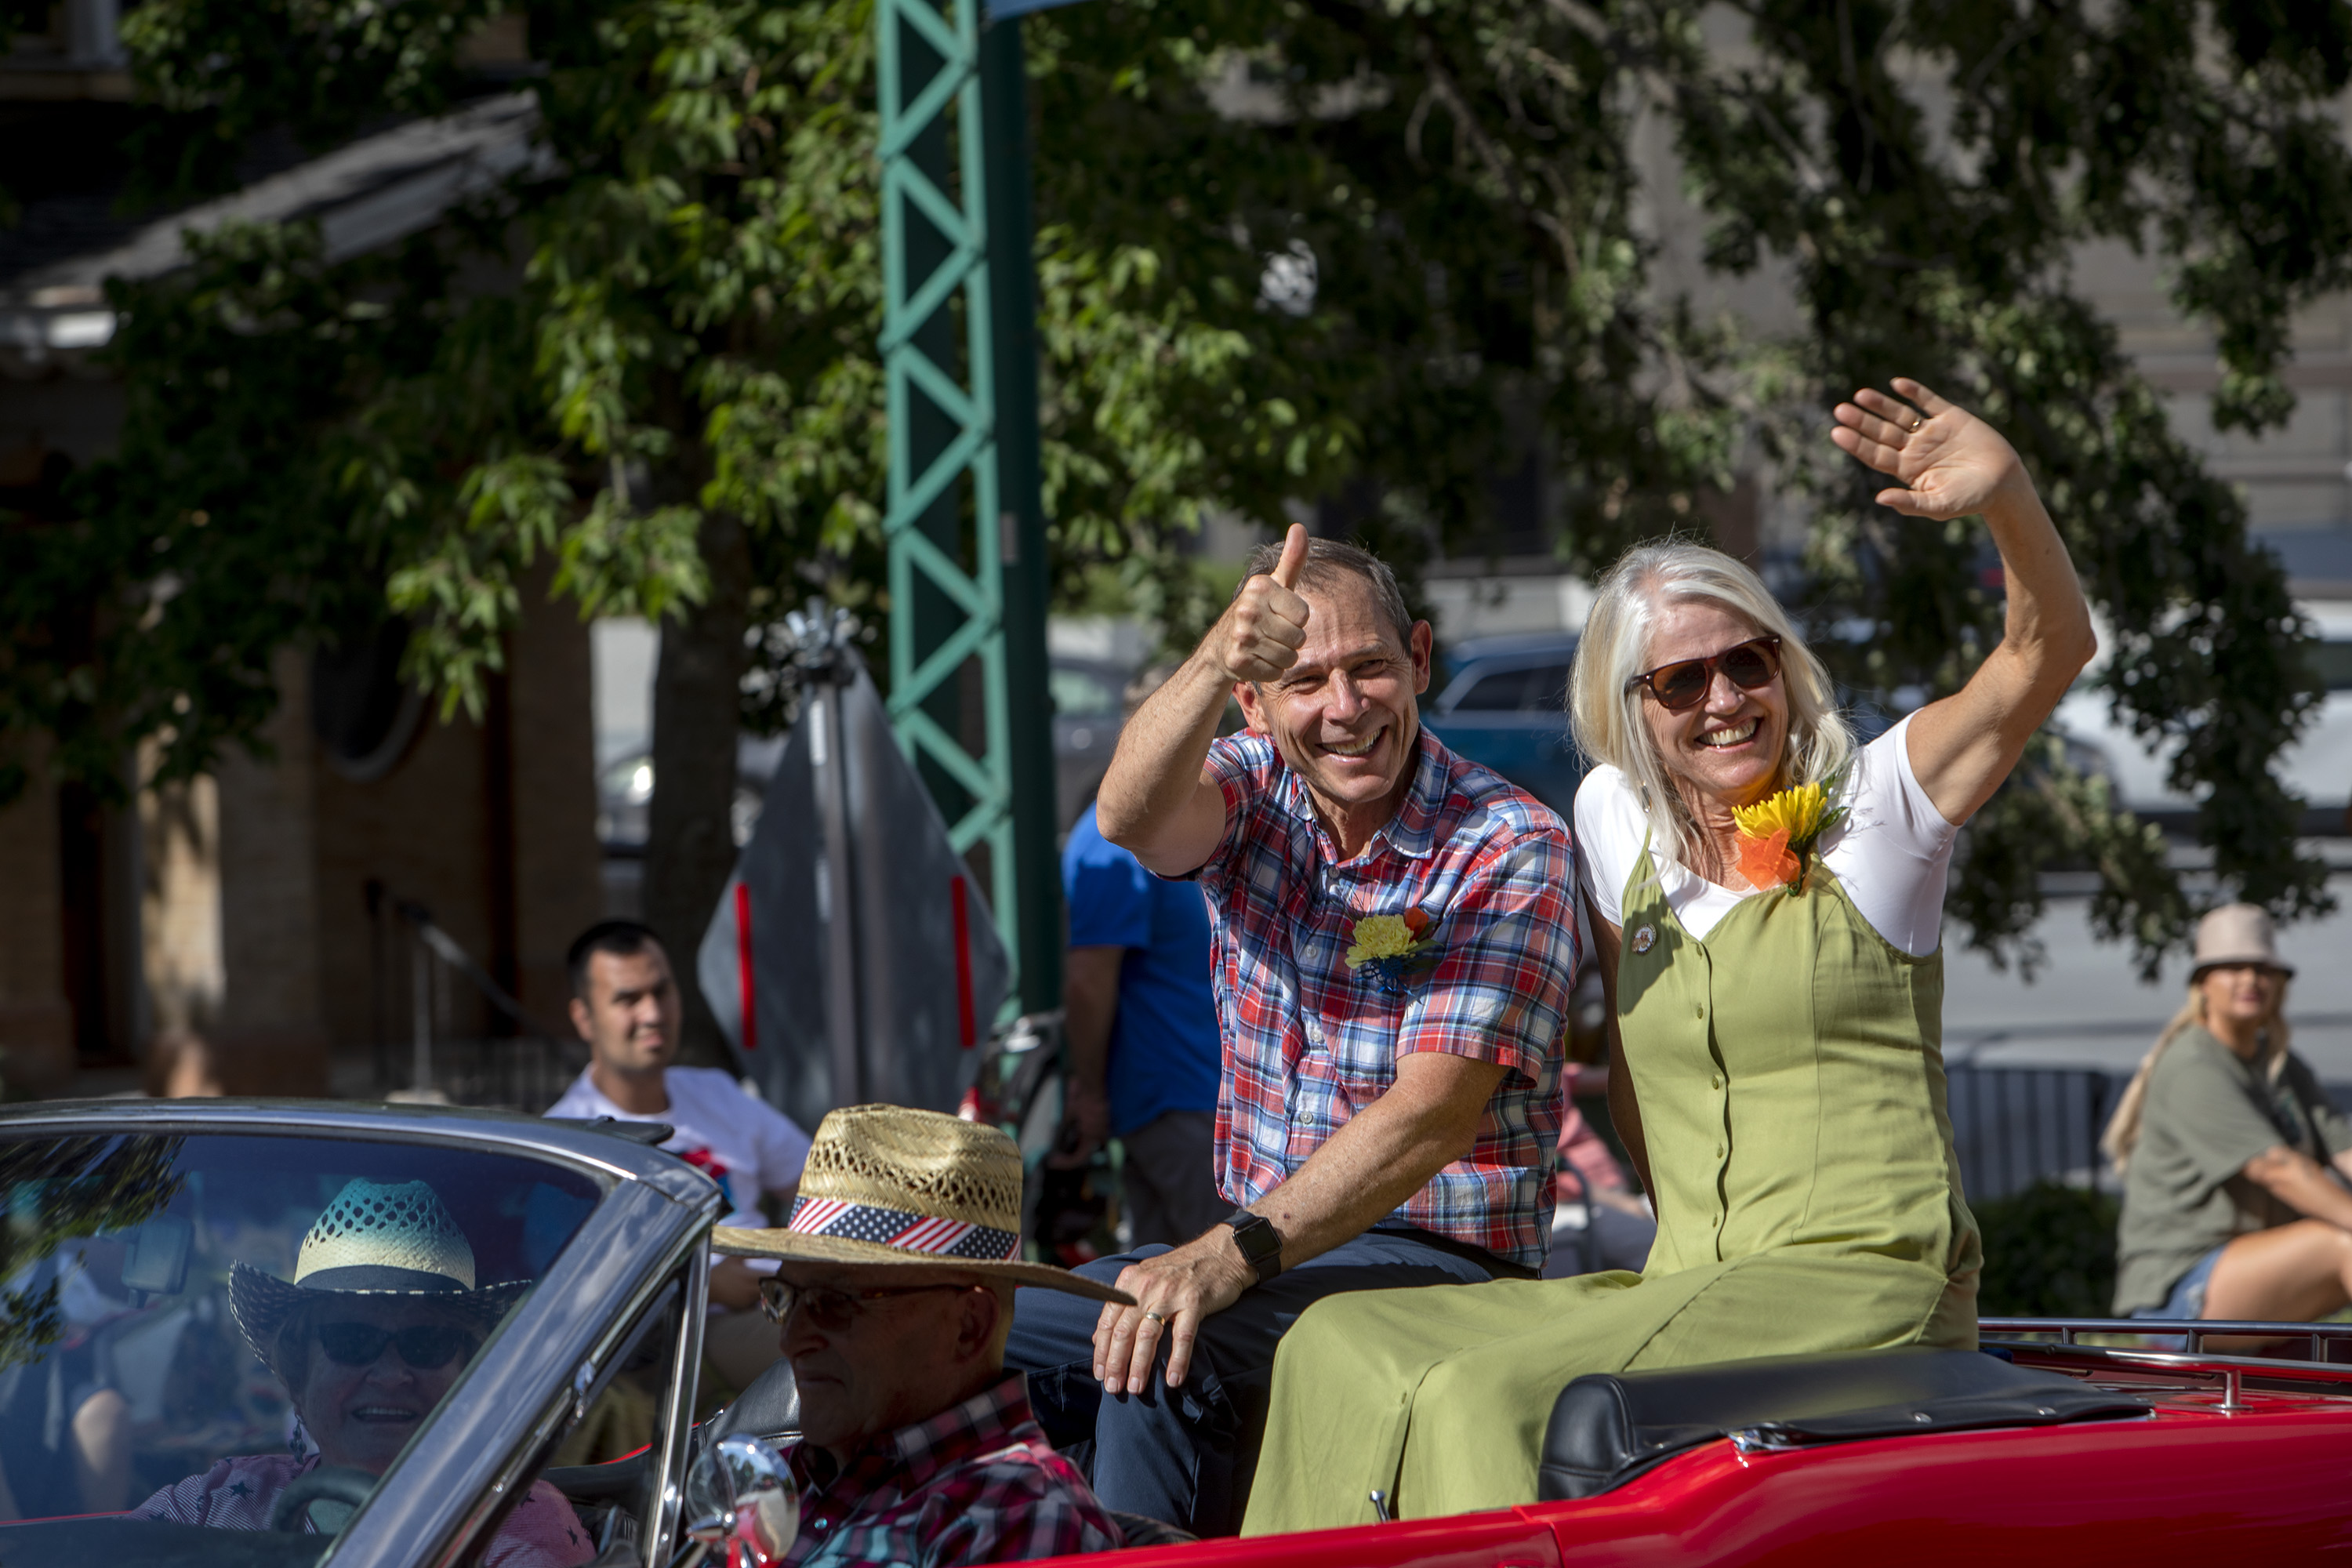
1890	855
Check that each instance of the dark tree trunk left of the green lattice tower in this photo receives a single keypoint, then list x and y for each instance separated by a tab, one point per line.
690	840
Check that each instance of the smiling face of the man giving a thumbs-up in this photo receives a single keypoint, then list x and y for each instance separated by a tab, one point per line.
1347	716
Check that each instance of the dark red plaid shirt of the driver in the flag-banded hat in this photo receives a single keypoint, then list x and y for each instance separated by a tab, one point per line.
975	1485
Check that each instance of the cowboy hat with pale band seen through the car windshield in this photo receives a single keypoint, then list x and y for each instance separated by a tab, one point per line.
373	1240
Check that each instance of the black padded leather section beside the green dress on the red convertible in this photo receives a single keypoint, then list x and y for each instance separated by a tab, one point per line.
1610	1428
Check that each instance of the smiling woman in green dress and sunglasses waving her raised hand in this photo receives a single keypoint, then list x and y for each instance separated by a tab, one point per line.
1777	1012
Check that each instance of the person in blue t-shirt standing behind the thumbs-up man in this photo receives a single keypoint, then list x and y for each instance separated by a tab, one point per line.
1142	1028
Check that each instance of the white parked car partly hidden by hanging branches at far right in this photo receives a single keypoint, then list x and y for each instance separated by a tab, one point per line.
2318	768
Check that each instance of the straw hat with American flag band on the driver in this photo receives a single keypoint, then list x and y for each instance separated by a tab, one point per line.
914	1191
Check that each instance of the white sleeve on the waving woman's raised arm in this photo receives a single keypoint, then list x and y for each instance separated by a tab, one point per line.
1895	850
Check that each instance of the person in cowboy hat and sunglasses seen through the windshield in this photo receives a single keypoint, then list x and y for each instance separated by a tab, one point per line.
380	1320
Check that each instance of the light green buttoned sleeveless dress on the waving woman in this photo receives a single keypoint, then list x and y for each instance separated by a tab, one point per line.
1793	1104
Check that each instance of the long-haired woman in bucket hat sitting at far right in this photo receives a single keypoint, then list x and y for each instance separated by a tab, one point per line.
2226	1146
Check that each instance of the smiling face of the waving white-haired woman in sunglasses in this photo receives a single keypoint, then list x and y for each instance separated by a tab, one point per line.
1728	749
